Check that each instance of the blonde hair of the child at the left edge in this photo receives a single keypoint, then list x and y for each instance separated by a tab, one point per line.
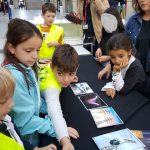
7	84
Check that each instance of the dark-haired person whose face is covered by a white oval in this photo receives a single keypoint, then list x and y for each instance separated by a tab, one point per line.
112	24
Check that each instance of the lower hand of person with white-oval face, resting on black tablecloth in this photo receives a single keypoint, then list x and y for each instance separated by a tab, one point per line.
105	72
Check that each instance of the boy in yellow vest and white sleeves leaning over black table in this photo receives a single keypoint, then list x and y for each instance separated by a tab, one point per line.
60	73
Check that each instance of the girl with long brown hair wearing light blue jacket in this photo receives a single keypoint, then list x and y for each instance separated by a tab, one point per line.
21	53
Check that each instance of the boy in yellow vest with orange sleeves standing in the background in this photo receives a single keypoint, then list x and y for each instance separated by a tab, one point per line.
52	34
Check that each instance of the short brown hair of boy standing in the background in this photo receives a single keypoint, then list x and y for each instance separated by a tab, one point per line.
48	7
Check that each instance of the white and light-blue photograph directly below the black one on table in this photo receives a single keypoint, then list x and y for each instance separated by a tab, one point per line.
105	117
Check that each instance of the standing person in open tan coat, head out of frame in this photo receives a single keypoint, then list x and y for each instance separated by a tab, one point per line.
90	12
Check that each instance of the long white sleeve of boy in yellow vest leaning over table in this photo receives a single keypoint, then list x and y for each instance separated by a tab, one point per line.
55	112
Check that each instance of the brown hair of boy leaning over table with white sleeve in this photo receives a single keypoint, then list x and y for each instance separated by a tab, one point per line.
65	58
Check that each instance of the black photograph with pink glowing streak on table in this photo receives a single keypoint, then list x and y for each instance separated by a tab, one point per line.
92	101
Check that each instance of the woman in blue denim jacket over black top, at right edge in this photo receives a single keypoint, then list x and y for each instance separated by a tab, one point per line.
138	28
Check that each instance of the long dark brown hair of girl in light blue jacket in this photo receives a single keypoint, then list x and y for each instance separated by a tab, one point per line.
19	31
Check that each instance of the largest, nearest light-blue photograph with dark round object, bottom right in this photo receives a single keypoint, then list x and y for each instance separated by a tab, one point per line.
118	140
